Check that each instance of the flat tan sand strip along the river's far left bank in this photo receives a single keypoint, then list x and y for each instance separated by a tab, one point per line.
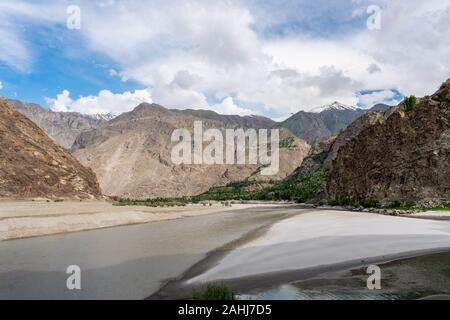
23	219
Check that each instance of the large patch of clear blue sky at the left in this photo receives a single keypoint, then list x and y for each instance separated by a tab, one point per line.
60	61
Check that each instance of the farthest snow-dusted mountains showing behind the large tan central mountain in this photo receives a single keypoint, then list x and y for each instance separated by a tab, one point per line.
313	127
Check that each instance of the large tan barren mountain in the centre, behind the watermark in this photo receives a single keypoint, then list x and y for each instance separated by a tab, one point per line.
131	154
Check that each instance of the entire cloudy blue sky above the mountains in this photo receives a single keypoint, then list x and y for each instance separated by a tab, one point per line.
237	57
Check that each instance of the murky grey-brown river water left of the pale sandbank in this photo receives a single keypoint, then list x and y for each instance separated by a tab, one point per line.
129	262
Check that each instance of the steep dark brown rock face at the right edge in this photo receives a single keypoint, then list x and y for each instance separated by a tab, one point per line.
403	158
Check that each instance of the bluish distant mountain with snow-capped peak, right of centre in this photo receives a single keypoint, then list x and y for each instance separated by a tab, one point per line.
322	123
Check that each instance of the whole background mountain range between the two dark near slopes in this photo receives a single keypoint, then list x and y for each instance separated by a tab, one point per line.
131	153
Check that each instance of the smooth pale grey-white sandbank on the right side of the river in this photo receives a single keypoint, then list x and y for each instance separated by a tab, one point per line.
328	237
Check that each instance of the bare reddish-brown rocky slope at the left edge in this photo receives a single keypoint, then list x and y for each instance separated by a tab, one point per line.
33	165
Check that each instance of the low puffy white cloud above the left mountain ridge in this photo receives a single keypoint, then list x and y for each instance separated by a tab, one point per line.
103	103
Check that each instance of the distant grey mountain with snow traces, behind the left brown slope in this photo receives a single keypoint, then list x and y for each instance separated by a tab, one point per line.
63	127
